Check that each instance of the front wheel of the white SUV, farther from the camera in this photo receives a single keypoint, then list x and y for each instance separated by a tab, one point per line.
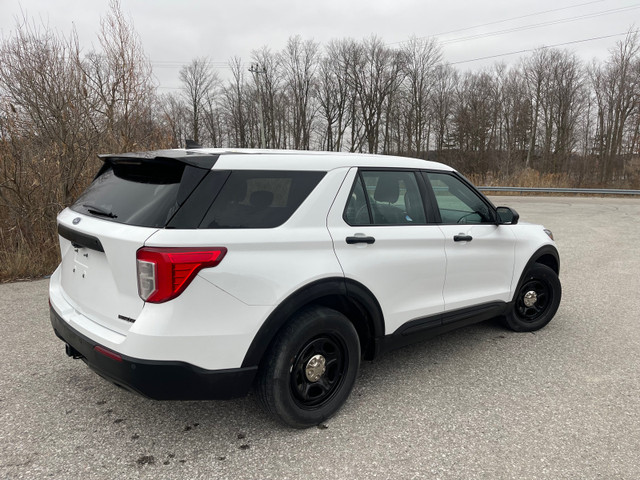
536	301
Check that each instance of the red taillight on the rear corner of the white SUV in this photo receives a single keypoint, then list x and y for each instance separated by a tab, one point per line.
164	273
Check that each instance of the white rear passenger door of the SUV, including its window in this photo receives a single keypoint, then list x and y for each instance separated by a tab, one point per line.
401	259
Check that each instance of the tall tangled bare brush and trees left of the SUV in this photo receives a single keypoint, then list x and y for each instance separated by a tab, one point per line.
60	109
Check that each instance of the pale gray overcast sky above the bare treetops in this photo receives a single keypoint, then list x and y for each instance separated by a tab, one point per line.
174	32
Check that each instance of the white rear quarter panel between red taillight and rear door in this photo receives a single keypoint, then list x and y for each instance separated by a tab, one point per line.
264	266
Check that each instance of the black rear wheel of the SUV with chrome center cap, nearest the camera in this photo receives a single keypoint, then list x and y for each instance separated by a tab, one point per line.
311	368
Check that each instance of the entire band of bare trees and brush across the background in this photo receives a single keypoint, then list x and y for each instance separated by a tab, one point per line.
549	118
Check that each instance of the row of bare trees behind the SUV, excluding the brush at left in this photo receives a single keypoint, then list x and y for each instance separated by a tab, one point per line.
549	112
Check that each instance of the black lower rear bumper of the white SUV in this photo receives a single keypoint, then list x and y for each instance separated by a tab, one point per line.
159	380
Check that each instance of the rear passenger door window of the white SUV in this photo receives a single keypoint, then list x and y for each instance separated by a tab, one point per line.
385	198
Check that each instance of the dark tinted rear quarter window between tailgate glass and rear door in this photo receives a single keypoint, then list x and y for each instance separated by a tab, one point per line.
259	199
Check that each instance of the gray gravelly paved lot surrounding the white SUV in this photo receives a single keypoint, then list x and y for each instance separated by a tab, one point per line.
481	402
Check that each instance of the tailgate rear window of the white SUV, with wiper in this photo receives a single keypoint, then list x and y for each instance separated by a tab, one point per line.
143	193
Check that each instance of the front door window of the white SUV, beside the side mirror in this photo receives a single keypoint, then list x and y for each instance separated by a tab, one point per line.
457	202
